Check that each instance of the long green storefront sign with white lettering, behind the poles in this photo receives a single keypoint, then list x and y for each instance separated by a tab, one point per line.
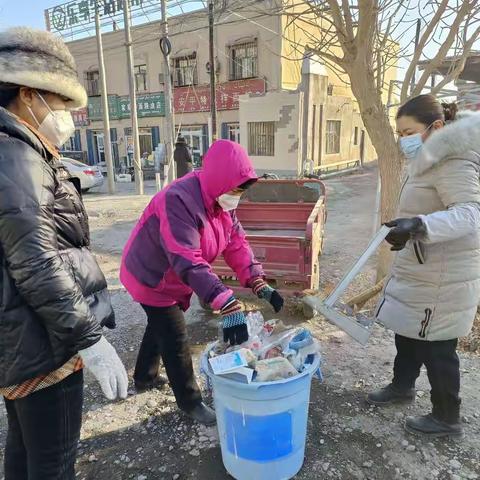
149	105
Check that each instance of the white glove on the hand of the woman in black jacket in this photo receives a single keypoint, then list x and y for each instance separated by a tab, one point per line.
104	363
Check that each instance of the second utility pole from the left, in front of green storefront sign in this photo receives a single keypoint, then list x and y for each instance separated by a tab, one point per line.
133	101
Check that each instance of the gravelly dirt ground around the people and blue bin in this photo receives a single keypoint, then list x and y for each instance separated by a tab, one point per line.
146	438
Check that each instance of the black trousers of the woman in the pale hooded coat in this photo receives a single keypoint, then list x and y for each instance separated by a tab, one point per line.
443	370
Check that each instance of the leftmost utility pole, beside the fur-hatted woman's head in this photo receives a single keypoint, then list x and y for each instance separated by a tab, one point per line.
107	142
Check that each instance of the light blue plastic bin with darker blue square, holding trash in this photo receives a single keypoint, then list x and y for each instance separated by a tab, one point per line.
262	426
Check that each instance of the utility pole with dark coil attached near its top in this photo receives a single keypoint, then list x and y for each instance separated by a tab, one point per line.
166	48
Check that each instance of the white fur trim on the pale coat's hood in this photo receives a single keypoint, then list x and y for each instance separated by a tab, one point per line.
457	138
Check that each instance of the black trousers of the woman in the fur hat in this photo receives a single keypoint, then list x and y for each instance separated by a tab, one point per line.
43	432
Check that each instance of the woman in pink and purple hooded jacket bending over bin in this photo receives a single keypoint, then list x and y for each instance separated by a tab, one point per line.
168	257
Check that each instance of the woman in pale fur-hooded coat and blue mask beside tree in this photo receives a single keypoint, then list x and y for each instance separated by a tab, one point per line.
431	296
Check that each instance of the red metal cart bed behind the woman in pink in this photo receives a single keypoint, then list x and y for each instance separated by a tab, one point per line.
284	221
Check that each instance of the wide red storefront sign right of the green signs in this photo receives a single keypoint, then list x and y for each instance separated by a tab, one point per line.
197	99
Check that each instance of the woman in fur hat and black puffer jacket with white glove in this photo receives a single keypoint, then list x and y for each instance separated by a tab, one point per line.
54	295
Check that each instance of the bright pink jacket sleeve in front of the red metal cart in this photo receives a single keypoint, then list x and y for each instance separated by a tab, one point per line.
239	255
